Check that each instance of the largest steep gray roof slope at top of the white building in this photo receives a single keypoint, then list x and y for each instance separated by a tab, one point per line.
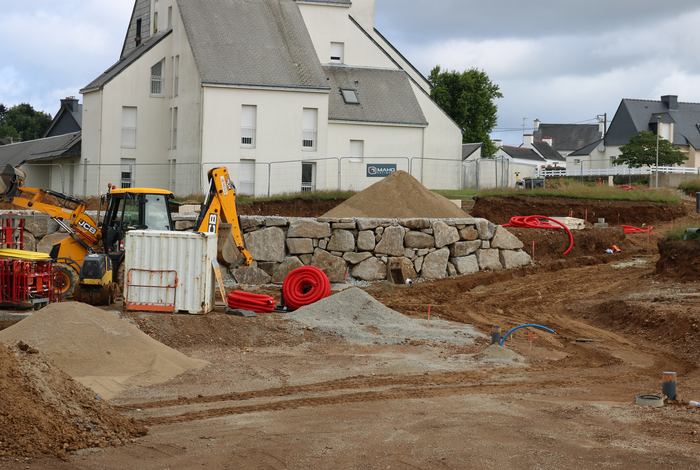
244	42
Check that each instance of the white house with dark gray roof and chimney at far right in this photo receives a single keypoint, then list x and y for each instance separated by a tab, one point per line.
679	123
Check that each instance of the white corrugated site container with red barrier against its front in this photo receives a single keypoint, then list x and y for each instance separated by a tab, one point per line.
152	254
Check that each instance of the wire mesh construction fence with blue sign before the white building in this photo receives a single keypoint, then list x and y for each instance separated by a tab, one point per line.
262	179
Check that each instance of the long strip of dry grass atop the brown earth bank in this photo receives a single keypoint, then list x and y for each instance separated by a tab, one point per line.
583	191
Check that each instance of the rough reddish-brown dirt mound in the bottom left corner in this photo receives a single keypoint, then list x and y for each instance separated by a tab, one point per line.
45	412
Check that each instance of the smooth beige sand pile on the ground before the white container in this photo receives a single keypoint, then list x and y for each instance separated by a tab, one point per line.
98	349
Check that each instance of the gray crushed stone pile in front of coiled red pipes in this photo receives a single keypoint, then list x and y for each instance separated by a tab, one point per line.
360	319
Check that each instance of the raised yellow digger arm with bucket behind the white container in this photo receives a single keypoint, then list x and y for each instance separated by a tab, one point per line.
220	215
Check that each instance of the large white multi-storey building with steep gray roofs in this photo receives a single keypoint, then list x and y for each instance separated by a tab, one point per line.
284	93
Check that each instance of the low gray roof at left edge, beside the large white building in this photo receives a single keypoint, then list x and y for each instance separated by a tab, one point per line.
40	149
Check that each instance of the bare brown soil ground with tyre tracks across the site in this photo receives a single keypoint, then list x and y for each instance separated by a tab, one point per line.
279	396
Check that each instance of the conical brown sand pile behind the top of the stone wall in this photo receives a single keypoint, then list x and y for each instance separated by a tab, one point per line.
398	196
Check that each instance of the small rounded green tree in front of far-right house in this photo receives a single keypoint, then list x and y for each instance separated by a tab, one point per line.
641	151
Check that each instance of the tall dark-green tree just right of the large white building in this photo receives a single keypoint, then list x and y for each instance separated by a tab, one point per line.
468	98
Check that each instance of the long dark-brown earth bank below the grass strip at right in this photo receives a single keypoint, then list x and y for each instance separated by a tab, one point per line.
499	210
